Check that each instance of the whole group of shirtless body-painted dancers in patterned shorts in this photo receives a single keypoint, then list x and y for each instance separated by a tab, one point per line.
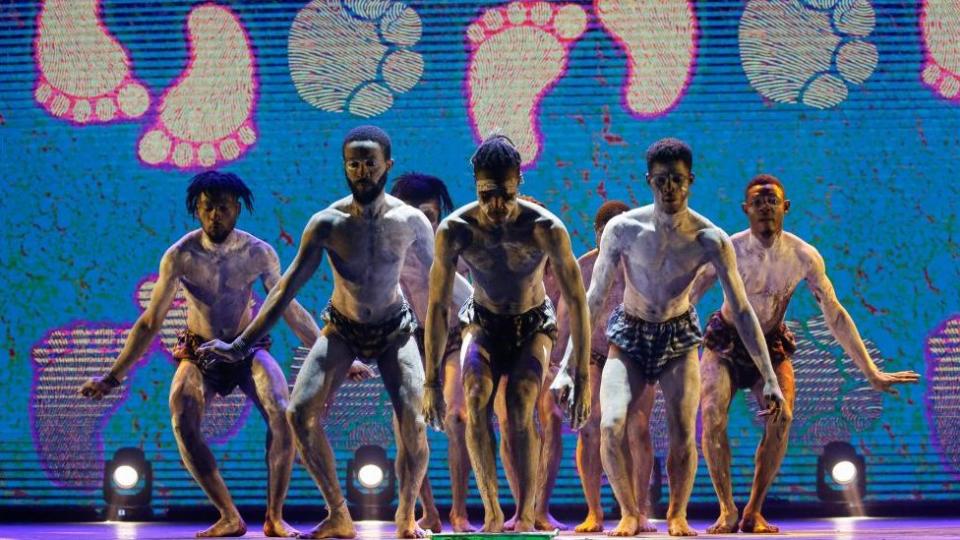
459	317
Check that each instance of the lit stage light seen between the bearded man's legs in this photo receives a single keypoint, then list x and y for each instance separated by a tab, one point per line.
371	483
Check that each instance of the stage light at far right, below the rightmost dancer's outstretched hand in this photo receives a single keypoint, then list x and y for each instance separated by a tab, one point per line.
841	474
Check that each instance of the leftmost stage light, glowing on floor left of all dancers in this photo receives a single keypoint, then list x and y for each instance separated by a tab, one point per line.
128	485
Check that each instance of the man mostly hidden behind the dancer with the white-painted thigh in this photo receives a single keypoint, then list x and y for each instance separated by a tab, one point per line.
588	440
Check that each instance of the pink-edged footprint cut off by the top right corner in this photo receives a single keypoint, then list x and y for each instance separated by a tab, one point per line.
940	25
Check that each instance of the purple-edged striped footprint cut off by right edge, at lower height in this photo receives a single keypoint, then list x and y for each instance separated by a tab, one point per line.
942	353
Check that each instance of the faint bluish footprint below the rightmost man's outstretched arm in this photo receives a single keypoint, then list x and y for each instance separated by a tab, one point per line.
833	399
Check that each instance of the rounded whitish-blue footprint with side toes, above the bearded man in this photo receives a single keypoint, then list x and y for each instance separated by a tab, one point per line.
354	55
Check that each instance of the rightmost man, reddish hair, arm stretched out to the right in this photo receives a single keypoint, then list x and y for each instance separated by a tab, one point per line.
772	263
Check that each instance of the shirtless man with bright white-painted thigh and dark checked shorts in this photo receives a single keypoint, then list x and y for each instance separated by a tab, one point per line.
654	335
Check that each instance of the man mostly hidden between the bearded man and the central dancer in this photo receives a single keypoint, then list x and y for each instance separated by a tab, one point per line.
430	195
